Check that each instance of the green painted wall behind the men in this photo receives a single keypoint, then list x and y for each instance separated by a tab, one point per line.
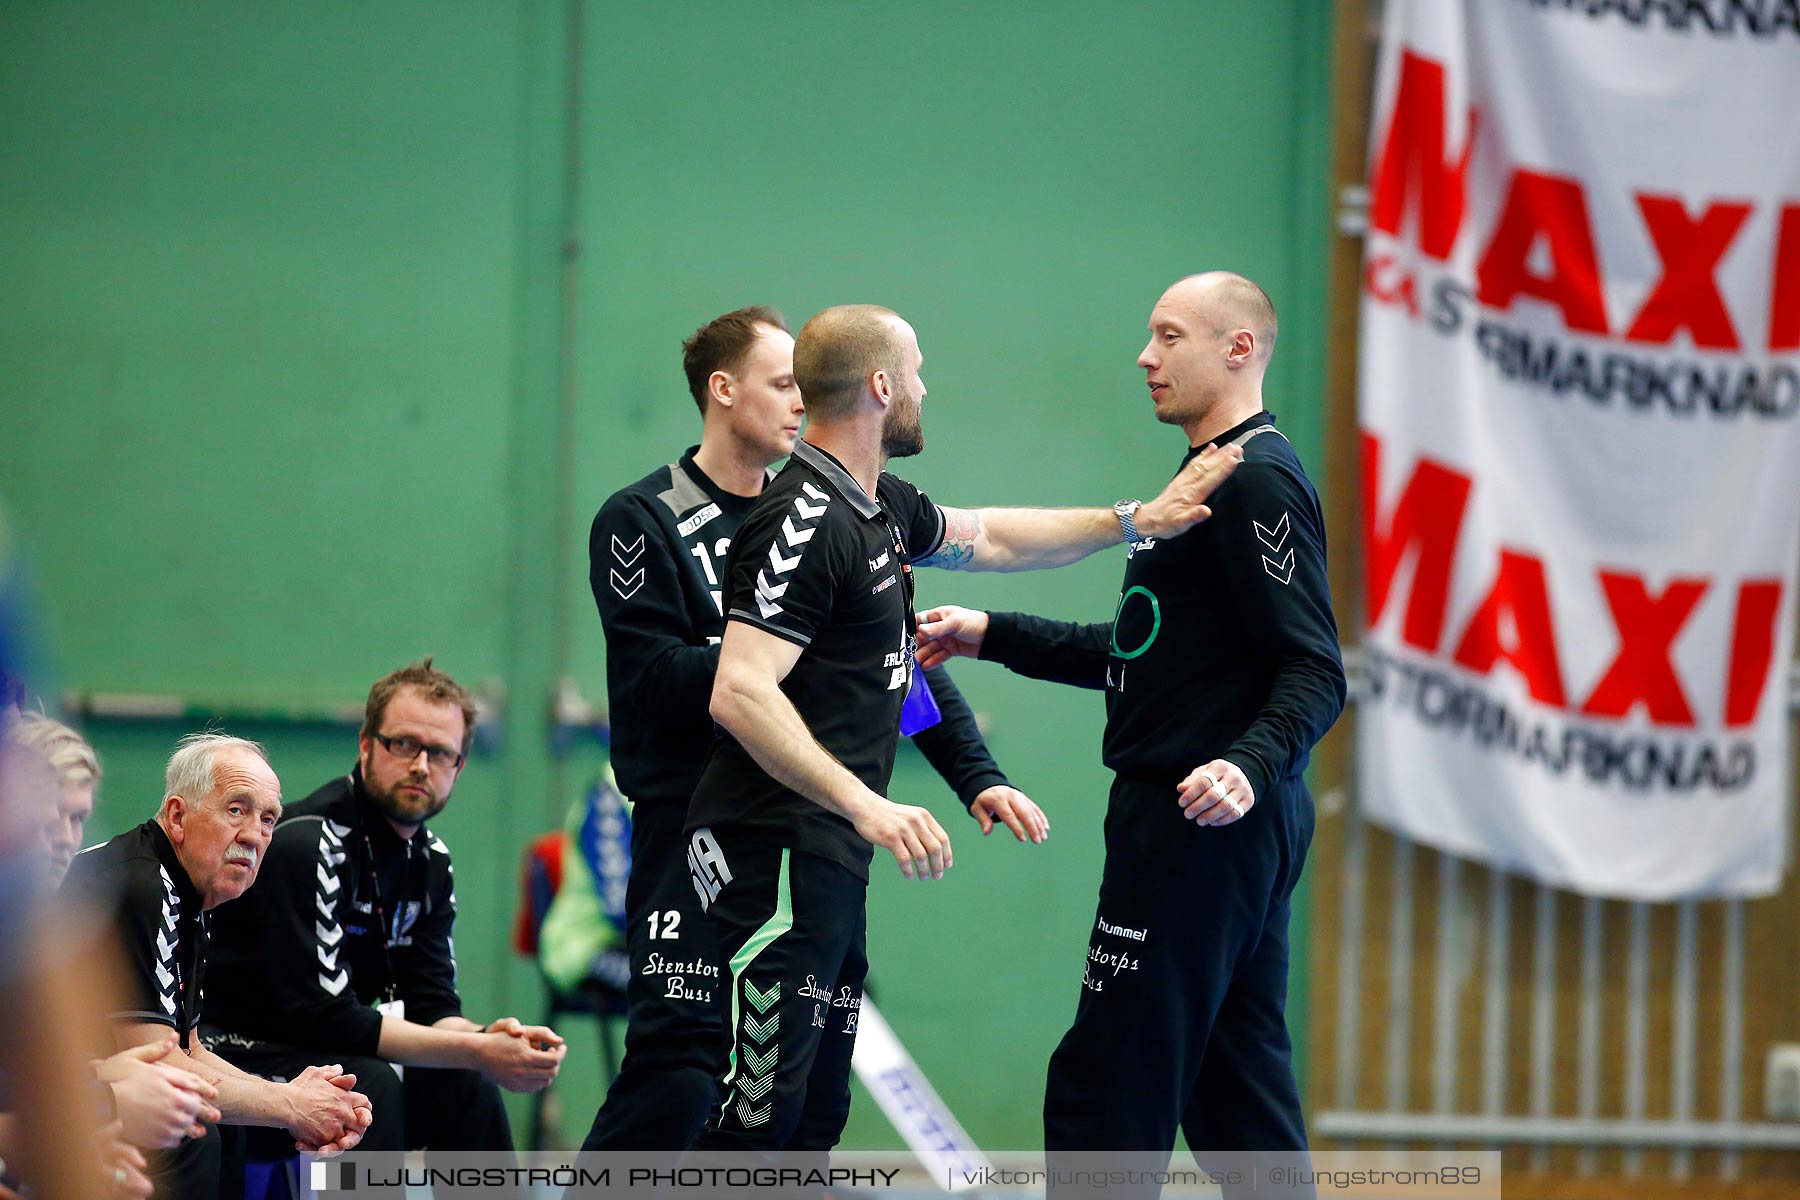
285	321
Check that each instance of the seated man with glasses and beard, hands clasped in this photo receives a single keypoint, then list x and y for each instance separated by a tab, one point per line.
343	951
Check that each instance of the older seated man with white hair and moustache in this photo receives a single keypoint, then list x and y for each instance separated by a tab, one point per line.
161	882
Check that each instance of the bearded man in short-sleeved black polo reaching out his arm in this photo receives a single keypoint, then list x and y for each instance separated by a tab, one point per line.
814	668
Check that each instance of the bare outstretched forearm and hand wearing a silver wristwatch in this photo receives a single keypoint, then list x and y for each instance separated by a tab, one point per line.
1036	539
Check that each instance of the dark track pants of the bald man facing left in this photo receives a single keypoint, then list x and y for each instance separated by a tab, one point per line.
1185	983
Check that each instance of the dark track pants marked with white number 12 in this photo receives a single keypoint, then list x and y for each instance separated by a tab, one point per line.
667	1086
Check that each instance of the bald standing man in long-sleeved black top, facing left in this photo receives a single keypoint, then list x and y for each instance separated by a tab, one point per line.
1221	672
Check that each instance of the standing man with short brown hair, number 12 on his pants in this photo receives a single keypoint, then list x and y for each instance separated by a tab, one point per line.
656	555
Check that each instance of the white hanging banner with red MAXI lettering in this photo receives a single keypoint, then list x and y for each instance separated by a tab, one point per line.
1581	438
